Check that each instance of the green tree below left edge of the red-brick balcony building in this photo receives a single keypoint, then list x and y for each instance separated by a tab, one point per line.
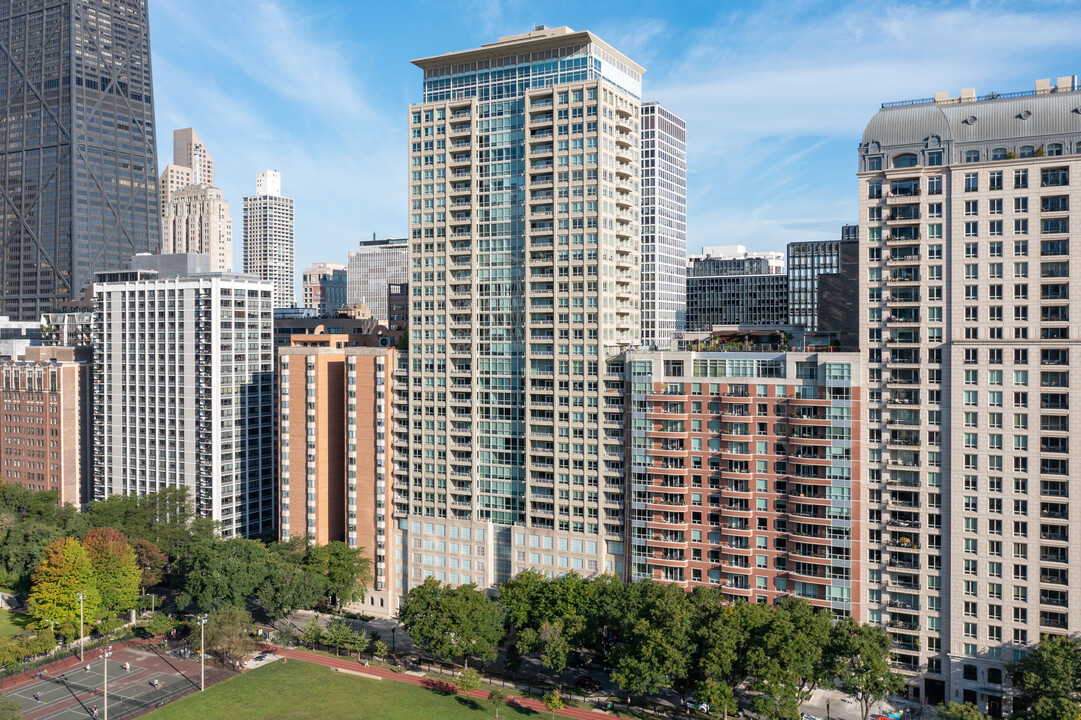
657	638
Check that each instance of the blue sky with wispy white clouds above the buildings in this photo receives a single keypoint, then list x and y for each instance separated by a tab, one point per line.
776	95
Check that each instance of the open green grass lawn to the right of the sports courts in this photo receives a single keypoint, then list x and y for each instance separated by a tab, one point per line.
298	691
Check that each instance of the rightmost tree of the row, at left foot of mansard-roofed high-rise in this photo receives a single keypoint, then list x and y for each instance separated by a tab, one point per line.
860	656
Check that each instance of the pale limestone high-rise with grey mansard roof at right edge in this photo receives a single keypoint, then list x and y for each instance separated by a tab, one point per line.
967	226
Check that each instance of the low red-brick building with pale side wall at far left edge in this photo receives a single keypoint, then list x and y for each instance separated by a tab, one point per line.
46	432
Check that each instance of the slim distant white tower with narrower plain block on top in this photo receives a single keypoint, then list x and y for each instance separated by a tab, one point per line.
269	237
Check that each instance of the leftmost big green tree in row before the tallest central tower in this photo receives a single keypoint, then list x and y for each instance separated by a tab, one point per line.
452	622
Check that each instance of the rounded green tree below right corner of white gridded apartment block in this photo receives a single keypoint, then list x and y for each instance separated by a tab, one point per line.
226	574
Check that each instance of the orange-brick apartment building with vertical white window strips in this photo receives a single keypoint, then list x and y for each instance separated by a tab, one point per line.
336	441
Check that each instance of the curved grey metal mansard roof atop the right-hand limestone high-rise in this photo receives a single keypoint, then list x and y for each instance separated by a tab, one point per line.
983	122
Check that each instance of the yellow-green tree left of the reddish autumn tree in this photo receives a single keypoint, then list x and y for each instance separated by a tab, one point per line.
63	574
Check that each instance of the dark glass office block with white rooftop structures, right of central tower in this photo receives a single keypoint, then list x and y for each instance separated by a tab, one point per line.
727	286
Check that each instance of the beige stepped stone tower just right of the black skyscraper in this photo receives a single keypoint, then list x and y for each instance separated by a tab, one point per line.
195	216
